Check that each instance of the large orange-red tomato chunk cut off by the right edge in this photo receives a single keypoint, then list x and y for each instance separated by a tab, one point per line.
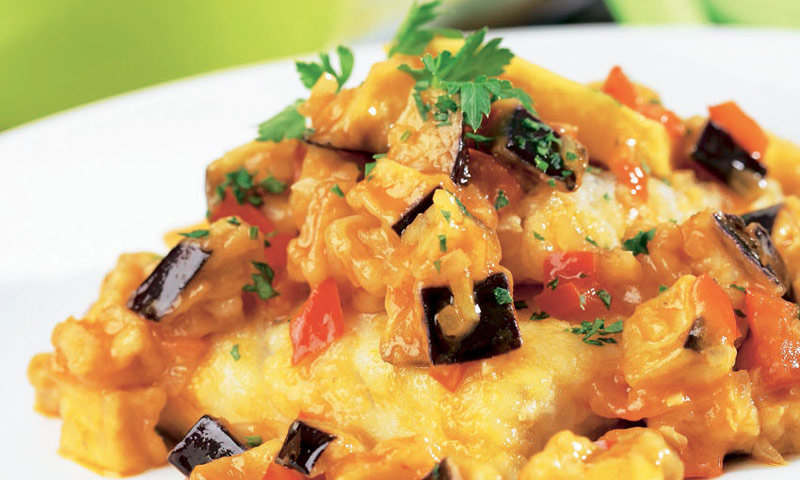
775	338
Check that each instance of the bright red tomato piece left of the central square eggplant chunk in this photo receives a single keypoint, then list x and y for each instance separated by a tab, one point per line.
318	323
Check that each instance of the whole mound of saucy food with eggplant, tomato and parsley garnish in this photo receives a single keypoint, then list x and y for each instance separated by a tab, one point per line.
466	267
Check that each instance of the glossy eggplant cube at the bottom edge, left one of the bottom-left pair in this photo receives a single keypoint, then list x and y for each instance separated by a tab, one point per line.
207	440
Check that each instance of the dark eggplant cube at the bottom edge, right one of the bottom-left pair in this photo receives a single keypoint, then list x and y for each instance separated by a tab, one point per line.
302	447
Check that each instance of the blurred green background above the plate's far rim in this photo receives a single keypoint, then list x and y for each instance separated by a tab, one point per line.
56	54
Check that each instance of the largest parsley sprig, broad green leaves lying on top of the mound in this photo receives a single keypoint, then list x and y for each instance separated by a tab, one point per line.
470	74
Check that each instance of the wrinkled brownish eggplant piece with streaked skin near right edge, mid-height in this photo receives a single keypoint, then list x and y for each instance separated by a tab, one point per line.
754	244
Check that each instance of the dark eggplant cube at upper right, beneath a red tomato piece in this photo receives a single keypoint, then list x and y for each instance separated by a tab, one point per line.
719	154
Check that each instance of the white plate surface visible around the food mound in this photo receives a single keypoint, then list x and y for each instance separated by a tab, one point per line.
85	185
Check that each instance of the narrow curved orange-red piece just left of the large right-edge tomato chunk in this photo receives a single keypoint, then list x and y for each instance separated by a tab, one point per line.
714	306
